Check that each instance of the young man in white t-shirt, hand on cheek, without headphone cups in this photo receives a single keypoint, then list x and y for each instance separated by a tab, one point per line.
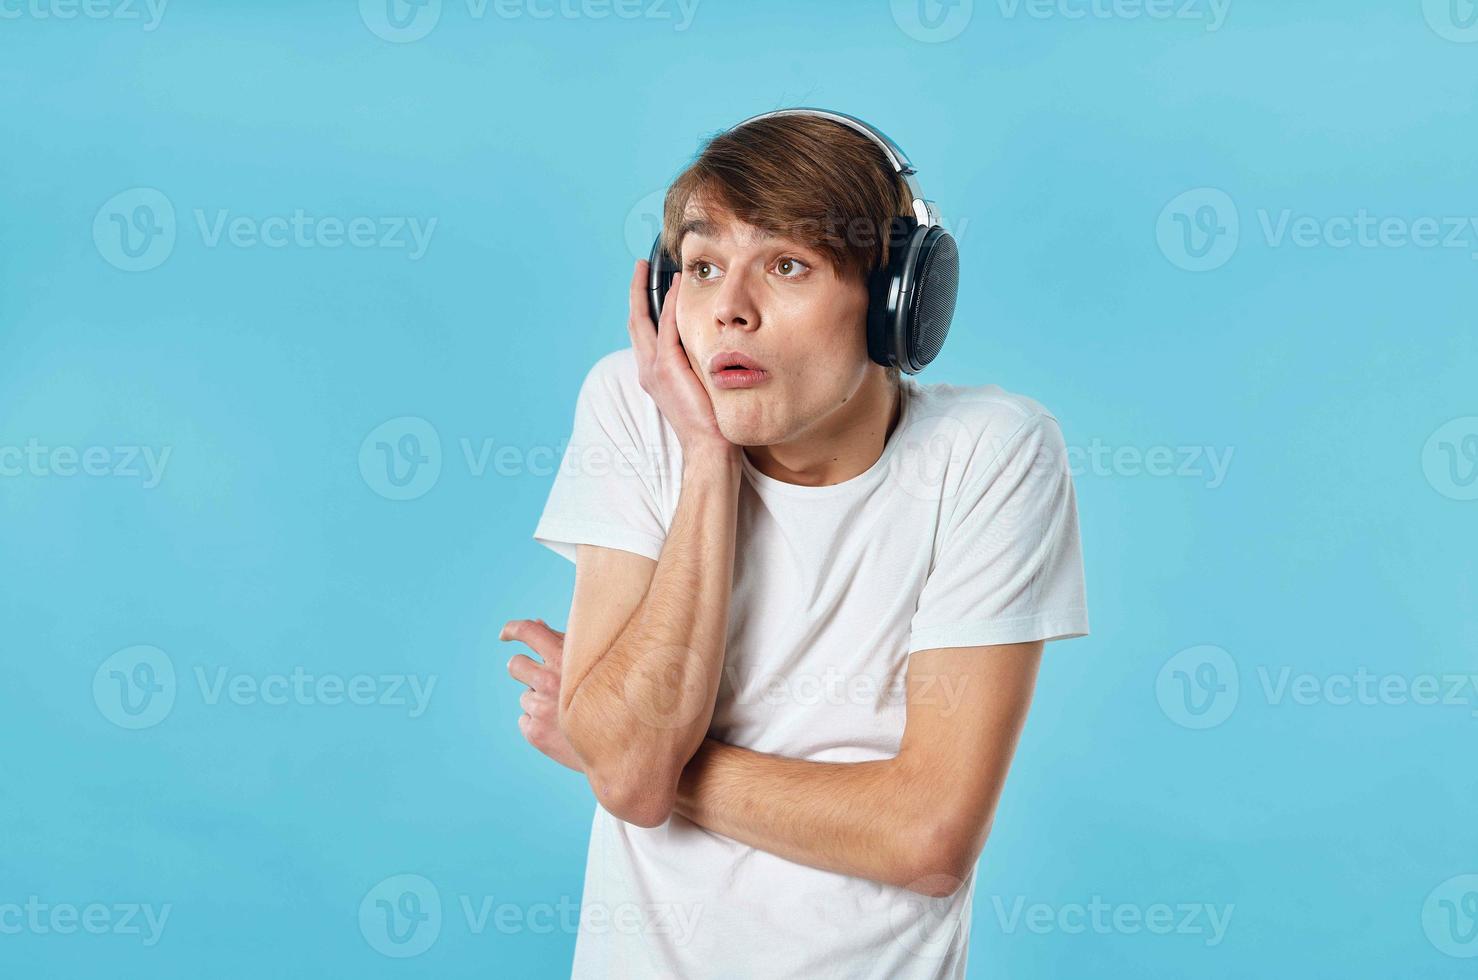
811	596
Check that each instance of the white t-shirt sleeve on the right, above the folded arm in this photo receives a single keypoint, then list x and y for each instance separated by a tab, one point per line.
1010	568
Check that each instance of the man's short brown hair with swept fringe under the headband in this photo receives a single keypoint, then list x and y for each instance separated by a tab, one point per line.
803	178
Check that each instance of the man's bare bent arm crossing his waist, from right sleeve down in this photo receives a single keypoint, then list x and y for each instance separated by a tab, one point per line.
917	821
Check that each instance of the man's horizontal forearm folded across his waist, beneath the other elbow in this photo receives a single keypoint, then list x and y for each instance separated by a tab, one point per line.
874	820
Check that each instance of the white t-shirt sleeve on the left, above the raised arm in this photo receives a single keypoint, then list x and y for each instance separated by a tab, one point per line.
608	489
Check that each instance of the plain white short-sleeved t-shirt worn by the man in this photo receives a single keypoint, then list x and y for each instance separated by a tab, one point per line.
964	533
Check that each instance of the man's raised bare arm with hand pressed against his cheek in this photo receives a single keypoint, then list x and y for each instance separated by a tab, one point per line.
647	642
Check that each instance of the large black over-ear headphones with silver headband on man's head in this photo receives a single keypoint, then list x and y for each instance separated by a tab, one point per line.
911	299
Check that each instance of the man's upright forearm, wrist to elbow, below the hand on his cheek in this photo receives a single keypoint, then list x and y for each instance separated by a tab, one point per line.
644	707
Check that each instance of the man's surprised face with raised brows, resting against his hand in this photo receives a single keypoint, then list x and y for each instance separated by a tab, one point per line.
784	307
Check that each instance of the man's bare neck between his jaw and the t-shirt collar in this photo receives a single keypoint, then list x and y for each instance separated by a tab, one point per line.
842	446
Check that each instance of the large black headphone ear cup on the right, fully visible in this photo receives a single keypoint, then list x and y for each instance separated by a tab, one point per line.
913	299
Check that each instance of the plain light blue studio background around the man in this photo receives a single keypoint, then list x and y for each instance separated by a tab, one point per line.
1053	146
